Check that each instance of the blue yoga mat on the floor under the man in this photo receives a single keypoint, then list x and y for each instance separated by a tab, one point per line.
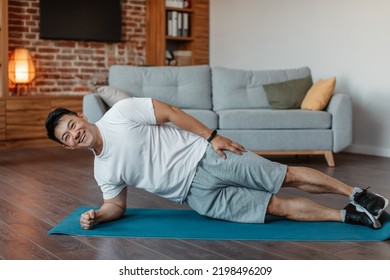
187	224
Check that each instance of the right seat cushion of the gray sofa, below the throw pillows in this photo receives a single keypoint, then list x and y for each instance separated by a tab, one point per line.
274	119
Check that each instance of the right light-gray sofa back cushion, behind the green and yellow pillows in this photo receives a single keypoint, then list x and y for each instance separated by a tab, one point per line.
241	89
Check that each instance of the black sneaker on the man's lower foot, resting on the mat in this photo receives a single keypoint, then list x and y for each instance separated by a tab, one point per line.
358	216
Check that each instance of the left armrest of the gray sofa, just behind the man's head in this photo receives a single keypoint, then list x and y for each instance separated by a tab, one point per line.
94	107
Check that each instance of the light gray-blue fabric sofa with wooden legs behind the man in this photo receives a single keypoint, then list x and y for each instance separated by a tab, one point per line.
234	102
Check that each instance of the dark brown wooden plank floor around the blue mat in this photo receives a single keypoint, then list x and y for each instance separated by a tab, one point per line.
41	186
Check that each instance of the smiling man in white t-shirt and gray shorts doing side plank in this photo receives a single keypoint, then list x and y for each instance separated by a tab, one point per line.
214	175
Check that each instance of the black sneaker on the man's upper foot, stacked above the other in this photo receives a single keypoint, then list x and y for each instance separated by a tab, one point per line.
372	202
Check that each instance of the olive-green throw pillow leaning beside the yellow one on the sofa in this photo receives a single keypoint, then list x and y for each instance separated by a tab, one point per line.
288	94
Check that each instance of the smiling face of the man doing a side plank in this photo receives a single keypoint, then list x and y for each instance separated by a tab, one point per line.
75	132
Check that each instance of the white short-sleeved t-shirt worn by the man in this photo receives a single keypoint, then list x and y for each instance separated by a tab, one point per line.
138	152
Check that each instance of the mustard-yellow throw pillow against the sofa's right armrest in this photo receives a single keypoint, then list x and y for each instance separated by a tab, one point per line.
319	94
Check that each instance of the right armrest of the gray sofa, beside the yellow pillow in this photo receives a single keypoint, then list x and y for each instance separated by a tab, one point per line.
340	106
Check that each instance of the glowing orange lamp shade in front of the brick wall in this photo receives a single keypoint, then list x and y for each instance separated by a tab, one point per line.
21	68
